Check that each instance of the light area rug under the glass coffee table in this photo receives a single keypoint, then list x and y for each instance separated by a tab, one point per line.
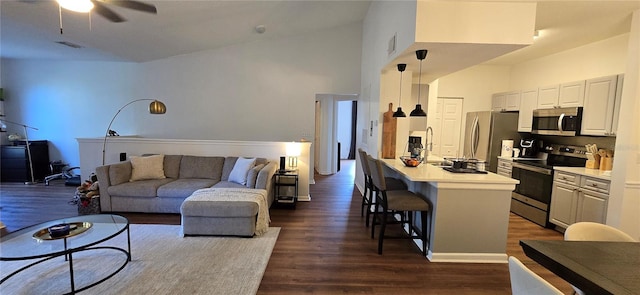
163	262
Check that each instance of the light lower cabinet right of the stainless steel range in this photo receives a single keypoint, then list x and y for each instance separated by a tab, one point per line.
577	198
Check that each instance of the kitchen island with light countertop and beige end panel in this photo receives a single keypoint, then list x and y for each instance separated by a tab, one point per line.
470	217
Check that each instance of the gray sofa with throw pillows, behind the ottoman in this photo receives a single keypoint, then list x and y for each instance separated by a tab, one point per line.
183	175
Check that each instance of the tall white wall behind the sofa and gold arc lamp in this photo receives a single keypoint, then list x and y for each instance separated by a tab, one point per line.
261	91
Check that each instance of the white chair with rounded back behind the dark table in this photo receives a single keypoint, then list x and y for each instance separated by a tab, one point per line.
593	231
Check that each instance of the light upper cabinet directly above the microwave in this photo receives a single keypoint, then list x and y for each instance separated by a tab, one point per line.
561	96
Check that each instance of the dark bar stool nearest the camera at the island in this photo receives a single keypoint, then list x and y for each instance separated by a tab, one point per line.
404	202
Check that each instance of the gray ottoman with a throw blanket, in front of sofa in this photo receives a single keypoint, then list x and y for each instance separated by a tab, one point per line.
204	213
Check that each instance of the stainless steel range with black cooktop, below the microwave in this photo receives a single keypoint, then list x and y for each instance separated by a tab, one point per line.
532	197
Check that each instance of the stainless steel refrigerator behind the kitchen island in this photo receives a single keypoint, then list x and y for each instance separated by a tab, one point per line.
484	133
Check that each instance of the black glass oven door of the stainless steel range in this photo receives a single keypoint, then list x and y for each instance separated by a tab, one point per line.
535	182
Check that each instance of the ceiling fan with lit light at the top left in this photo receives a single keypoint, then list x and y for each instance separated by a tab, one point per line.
100	7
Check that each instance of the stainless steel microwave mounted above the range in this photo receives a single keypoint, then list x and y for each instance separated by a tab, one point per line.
559	121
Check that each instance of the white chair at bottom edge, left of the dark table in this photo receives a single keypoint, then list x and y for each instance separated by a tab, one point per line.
526	282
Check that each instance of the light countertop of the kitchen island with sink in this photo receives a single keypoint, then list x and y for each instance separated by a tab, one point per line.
429	173
